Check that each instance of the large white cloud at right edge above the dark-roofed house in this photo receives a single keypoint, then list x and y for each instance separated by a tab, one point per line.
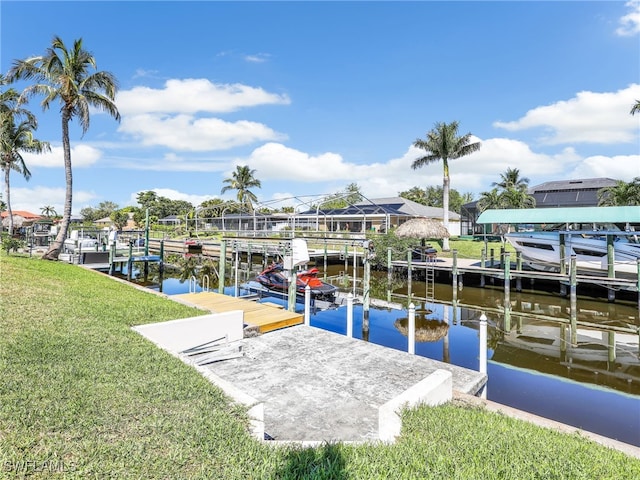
589	117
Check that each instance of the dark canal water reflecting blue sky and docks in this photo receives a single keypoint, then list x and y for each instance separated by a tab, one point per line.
534	364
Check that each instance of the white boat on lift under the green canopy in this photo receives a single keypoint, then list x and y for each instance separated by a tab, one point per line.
541	250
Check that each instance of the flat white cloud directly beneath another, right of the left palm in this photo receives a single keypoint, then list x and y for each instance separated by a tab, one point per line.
187	133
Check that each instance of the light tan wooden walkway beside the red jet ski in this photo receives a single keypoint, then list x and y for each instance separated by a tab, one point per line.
265	316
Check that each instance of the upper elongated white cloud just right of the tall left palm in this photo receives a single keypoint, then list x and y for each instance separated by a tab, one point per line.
194	95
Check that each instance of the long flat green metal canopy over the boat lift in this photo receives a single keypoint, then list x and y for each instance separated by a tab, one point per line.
562	215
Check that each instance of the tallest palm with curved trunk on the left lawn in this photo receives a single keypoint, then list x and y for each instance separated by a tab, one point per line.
66	75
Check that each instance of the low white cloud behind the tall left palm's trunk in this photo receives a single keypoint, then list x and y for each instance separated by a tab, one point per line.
33	199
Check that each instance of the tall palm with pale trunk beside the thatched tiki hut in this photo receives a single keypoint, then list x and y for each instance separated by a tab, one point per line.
443	143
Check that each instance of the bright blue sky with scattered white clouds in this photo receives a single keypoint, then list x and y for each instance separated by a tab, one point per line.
317	95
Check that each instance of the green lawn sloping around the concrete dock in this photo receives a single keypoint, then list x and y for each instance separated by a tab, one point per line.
86	397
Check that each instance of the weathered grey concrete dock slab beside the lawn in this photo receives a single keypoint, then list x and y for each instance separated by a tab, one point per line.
316	385
